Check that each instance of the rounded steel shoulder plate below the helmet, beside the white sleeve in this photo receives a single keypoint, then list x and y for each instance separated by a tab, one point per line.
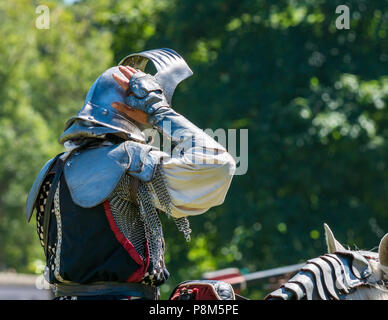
93	174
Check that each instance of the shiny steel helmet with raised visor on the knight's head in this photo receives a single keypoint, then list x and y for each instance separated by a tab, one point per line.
98	118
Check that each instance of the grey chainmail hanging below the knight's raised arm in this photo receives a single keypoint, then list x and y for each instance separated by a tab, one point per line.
136	206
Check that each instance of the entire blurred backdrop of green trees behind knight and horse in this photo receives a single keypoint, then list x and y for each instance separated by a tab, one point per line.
313	98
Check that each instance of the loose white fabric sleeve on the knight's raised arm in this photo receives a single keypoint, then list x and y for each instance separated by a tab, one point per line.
198	176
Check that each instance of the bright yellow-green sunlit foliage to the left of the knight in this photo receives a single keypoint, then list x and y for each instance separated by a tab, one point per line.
44	75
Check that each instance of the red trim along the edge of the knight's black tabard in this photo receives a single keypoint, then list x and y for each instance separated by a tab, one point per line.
138	275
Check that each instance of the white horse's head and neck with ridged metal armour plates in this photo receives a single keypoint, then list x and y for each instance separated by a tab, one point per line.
341	274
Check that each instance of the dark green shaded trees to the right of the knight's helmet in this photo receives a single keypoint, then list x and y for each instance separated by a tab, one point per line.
313	98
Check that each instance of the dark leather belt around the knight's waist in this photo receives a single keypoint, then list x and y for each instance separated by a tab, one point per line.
107	288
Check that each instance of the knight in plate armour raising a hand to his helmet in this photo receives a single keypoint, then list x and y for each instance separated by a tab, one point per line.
98	204
